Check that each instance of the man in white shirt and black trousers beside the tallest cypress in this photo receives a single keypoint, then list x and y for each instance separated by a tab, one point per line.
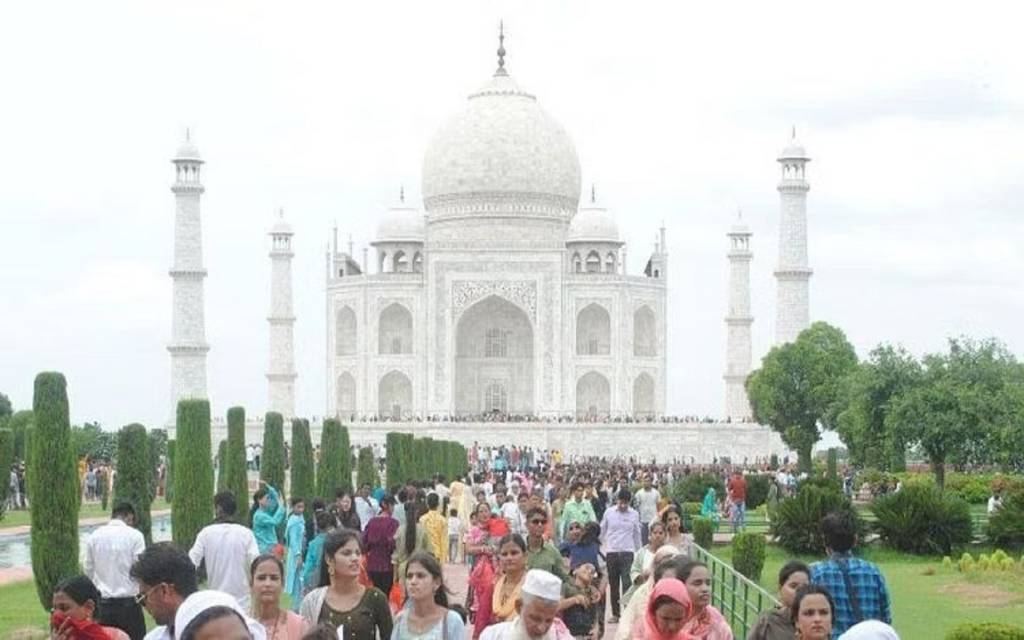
110	552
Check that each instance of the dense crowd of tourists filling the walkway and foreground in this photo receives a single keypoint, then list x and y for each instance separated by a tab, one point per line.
554	550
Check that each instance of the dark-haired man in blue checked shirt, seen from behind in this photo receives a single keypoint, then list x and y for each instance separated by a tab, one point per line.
869	599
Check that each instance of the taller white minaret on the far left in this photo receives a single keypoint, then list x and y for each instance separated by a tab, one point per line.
189	346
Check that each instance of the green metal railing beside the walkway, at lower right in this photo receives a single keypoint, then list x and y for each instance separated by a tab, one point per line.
741	601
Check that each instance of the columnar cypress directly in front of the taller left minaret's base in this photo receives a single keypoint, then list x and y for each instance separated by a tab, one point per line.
193	474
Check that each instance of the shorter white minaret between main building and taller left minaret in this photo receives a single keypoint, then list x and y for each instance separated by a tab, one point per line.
281	374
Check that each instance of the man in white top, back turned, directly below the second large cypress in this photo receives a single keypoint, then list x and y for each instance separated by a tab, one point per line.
229	549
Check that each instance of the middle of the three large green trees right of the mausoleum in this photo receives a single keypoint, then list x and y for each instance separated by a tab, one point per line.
871	392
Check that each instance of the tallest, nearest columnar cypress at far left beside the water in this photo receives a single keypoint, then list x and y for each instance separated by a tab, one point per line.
54	479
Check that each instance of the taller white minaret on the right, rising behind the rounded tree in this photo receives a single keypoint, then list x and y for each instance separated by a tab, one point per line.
793	275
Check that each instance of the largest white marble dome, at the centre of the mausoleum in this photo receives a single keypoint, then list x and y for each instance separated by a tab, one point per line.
502	145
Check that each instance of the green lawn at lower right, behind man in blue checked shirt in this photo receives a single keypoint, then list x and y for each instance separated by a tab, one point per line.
928	601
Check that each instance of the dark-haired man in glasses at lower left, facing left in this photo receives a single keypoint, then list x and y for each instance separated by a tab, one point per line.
166	577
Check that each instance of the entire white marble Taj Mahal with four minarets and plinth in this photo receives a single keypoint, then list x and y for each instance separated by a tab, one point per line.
501	312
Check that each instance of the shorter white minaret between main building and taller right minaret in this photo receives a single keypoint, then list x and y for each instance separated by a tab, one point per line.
738	322
